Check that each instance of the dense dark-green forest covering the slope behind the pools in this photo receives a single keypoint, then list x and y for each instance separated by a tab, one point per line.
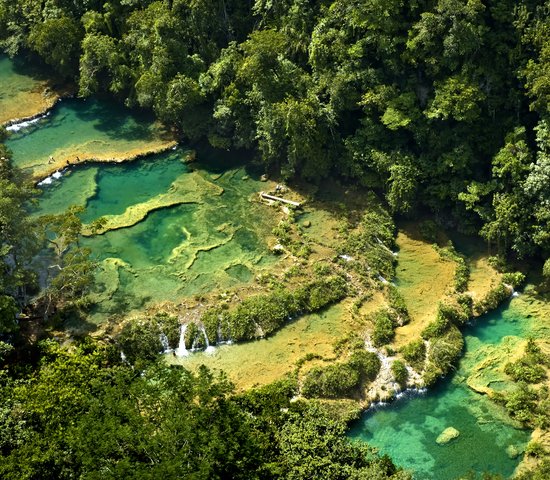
439	104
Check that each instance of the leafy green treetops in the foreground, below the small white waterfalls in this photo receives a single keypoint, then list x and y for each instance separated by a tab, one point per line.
80	412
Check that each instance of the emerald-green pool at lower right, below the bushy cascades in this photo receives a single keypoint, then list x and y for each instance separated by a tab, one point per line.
407	429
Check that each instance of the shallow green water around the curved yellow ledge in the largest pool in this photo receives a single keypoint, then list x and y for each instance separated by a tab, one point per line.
213	243
